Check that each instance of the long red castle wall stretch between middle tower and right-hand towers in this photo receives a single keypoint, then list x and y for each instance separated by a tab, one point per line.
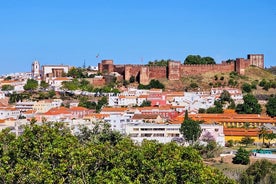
187	70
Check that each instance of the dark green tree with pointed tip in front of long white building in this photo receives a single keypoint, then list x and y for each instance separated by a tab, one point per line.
190	129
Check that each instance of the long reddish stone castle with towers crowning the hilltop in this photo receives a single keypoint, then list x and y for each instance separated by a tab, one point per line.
175	70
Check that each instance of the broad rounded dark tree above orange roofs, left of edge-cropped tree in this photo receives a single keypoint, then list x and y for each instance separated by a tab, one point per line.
249	106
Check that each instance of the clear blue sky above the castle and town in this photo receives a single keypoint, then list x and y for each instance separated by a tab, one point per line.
74	32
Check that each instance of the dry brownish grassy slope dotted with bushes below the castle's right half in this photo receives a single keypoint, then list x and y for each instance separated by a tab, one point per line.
206	81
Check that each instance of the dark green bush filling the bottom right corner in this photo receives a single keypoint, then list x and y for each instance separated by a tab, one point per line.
262	171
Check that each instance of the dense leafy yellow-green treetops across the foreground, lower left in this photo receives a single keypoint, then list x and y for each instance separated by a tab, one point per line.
49	153
